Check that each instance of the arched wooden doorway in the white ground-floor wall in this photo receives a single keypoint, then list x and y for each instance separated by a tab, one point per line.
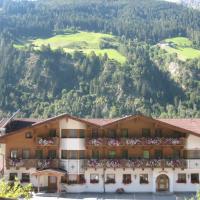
162	183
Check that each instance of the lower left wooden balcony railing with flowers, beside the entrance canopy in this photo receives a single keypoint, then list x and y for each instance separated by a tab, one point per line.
33	163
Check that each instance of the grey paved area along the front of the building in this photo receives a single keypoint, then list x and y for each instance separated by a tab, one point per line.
110	196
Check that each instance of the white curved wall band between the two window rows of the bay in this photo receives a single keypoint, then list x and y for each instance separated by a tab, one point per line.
72	144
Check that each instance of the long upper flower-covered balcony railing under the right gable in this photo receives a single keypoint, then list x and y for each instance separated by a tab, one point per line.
135	141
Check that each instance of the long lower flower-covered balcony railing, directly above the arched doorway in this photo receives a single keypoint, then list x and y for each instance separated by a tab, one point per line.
136	163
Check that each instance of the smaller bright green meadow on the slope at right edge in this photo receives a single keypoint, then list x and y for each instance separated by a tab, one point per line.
182	47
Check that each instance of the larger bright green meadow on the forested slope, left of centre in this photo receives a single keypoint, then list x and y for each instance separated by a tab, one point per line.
80	41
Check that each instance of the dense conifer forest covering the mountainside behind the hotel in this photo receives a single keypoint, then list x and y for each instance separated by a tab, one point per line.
45	82
